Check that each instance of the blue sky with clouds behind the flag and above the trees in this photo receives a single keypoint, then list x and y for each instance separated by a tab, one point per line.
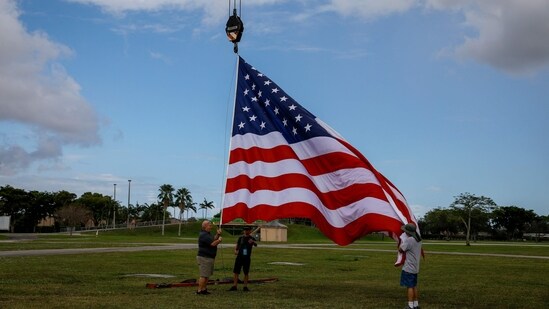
442	96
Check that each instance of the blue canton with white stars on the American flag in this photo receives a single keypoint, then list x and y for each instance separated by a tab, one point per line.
262	107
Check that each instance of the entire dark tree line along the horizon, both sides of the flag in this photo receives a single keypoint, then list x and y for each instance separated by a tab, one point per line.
468	217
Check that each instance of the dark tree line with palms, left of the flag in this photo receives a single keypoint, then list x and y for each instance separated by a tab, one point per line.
27	209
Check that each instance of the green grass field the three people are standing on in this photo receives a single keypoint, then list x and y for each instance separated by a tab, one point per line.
361	275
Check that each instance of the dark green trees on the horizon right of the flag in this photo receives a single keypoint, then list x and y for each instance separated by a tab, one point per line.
471	217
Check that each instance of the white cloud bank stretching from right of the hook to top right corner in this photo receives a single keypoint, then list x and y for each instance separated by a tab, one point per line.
510	35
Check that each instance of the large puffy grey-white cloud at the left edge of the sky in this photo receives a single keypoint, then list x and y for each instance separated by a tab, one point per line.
37	93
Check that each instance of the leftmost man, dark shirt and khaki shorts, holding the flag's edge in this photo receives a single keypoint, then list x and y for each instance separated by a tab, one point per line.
207	250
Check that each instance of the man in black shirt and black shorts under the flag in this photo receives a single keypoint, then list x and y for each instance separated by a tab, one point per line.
243	252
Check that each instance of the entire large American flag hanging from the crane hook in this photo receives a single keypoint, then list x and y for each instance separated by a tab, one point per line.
286	163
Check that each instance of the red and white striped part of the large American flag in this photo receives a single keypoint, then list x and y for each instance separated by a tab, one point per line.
324	179
